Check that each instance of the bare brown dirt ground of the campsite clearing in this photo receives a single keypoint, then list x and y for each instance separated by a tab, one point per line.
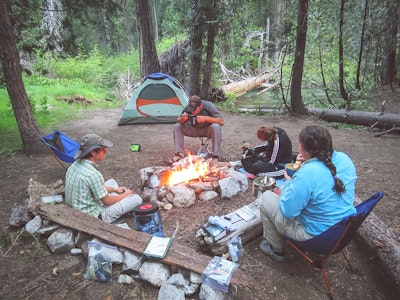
26	264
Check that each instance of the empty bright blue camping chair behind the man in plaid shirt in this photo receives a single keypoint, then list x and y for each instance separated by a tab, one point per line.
61	146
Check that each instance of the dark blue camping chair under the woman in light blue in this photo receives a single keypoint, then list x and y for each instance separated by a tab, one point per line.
335	239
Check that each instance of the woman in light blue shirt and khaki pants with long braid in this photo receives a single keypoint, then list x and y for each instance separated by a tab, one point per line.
319	195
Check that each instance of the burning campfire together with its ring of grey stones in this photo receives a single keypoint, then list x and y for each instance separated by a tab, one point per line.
189	179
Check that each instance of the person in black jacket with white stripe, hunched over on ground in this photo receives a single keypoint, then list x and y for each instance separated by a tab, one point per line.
270	158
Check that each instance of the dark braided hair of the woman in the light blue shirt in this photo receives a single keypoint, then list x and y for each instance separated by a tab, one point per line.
317	141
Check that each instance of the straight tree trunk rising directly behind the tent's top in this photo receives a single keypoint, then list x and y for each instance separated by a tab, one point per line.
147	48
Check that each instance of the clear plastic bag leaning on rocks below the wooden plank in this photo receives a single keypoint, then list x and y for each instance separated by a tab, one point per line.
99	265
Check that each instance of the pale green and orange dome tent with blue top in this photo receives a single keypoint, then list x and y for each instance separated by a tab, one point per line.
158	99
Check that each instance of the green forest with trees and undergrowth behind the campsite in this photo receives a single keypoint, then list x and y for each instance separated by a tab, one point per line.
314	54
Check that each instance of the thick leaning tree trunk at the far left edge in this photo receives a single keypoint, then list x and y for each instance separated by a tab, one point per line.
28	128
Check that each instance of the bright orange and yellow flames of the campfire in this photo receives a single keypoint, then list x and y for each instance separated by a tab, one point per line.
196	169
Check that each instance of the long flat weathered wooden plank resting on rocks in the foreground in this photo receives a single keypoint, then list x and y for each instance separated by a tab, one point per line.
178	255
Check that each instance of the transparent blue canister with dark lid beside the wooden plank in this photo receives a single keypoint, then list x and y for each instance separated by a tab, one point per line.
148	219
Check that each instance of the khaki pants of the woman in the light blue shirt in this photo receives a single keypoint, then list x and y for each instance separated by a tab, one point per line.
275	225
